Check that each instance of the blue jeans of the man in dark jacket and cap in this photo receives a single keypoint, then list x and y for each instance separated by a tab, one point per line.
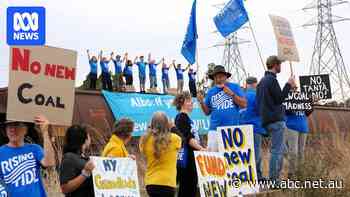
277	131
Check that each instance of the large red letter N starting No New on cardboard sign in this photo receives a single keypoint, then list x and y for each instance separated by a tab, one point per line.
19	60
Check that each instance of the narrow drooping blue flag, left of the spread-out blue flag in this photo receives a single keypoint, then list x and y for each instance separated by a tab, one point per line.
189	45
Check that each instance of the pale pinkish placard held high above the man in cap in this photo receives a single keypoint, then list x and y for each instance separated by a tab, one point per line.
287	49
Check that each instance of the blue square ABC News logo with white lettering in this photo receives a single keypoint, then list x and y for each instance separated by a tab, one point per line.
26	26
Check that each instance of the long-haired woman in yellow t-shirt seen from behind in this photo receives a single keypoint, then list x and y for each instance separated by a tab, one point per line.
160	147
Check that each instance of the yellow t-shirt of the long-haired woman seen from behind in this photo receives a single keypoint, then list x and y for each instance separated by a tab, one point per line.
161	171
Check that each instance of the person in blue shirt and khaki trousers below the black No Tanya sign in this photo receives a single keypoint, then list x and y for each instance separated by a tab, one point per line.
296	135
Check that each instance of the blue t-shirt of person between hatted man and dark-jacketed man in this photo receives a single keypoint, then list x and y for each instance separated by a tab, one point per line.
250	114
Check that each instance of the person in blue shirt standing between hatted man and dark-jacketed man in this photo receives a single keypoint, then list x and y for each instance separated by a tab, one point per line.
251	116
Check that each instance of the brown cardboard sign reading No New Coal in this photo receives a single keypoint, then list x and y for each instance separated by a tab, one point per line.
41	82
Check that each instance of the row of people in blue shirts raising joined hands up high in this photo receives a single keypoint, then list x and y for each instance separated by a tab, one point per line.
124	78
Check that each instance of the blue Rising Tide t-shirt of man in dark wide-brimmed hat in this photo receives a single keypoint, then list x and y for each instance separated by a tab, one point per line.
223	111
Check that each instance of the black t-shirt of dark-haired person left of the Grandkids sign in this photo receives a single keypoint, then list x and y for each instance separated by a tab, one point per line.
71	166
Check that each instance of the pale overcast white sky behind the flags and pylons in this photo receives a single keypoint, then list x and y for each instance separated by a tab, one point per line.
140	27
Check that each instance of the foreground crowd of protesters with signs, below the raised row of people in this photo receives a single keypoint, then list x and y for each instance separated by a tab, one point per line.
259	104
